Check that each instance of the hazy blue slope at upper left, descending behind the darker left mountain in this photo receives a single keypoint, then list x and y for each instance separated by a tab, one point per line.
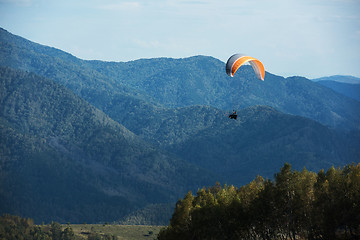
62	67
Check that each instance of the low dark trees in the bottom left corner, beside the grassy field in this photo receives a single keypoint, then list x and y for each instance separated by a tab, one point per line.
15	227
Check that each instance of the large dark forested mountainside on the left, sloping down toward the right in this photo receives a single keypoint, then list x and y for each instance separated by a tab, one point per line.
62	159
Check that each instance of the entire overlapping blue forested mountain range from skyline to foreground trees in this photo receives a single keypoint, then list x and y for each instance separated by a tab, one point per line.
93	141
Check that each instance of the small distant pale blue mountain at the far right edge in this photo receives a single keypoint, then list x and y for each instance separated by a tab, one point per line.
348	89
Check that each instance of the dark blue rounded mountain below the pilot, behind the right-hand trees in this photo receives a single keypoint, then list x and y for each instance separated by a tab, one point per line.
263	139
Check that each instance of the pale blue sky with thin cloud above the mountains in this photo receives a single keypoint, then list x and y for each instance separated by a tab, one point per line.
310	38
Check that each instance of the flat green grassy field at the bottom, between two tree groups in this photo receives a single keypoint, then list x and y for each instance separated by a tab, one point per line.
121	232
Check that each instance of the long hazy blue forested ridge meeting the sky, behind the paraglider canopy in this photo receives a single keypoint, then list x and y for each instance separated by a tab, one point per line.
199	80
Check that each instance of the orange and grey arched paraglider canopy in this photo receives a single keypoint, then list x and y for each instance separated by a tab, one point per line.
237	60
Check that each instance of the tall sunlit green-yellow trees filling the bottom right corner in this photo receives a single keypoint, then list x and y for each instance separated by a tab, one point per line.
295	205
